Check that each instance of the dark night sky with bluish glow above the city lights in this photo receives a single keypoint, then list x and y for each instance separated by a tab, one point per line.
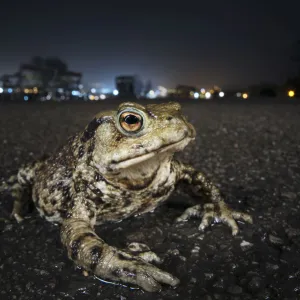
228	43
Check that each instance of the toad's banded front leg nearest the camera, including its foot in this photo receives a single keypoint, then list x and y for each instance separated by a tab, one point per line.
86	249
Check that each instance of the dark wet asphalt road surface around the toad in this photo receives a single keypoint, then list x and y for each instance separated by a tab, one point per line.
250	149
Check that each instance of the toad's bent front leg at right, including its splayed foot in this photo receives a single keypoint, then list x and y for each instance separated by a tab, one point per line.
214	211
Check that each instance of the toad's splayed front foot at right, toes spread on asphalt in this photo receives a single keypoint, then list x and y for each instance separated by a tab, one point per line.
215	212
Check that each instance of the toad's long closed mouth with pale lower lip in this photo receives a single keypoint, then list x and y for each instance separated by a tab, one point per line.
176	146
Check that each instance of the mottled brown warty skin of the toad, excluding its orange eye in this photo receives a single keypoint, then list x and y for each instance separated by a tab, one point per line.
106	173
